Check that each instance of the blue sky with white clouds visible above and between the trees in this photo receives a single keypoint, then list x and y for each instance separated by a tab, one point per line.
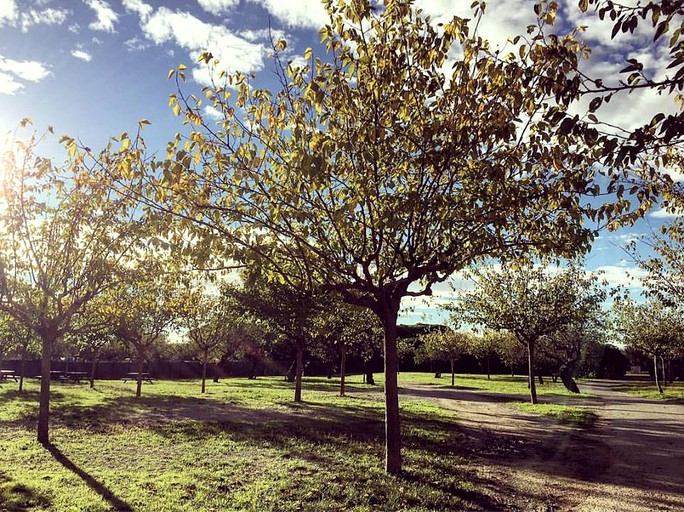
93	68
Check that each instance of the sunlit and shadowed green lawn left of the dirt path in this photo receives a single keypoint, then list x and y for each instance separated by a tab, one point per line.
243	446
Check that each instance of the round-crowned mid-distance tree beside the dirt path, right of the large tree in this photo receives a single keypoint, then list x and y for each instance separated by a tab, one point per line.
531	303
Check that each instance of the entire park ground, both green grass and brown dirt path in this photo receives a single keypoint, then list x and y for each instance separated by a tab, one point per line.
245	445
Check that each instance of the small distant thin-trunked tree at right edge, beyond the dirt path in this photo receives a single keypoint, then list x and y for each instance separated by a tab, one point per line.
653	328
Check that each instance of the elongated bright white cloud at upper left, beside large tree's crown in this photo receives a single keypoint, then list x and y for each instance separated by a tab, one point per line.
194	35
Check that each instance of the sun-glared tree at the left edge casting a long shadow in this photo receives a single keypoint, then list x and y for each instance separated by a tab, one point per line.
64	230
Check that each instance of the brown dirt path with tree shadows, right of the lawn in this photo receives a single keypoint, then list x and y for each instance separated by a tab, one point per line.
632	460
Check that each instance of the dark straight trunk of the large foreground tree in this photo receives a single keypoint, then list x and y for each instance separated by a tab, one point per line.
392	422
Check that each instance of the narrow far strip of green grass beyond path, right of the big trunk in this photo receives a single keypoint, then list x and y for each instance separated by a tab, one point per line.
497	384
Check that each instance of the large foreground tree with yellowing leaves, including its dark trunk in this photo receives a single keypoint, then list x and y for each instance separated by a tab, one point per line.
383	167
